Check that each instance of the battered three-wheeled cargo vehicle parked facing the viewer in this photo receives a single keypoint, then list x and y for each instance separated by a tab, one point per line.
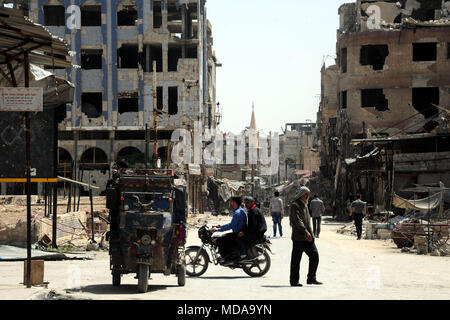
148	225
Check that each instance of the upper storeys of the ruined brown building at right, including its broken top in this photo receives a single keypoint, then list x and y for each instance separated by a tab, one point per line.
394	62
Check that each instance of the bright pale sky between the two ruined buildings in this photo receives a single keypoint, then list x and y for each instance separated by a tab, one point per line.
272	53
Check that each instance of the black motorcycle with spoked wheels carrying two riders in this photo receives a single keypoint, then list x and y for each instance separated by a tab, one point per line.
257	263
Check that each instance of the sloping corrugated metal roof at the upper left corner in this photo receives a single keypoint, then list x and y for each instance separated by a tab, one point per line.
18	34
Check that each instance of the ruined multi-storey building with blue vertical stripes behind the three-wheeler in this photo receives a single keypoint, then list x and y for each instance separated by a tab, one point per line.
116	43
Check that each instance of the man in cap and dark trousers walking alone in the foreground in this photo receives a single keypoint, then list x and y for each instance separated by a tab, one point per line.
302	239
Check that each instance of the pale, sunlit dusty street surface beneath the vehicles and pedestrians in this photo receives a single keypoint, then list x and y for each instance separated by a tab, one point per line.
350	269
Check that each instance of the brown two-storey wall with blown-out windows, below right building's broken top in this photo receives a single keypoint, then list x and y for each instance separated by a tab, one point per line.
398	78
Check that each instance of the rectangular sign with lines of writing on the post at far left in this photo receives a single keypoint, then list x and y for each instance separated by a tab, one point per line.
21	99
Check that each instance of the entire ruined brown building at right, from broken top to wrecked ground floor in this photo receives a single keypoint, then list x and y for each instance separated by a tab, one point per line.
383	117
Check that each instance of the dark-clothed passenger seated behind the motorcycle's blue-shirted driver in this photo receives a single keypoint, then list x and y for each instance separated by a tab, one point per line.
255	229
